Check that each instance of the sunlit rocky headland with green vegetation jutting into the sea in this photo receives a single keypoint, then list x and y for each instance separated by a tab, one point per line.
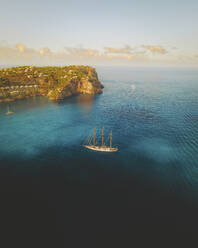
56	83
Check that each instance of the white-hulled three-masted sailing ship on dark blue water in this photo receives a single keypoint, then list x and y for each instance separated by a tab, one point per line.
94	143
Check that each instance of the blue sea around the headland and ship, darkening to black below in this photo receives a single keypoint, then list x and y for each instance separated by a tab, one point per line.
52	186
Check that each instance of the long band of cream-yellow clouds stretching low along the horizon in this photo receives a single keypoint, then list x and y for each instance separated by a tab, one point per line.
20	54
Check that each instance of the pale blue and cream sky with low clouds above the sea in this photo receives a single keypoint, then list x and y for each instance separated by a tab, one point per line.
98	32
